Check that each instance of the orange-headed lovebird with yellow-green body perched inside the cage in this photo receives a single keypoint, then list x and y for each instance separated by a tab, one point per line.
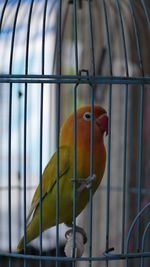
66	172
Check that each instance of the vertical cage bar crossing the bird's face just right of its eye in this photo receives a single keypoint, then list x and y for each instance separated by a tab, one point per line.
92	128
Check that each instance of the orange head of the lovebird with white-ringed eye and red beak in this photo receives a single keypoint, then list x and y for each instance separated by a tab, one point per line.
83	126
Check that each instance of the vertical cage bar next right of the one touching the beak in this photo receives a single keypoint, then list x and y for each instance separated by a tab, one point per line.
125	125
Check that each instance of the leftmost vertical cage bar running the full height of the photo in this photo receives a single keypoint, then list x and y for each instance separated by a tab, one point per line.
10	130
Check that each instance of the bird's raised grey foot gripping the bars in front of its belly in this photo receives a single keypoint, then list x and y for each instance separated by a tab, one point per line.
84	182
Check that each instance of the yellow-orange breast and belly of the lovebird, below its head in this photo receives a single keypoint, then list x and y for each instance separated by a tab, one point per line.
66	185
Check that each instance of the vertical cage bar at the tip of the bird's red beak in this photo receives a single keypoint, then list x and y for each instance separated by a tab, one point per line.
109	136
